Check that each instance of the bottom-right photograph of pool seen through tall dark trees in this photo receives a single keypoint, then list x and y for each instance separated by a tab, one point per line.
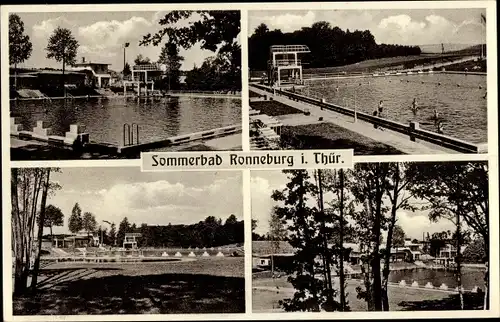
380	237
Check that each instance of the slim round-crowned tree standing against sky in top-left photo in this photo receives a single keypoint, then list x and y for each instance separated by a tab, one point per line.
62	47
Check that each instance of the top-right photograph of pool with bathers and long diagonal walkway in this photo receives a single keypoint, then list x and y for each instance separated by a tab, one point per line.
405	81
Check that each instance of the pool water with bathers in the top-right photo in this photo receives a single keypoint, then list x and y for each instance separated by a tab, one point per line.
459	100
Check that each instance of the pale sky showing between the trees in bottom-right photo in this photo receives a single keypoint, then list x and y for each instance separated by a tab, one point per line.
263	183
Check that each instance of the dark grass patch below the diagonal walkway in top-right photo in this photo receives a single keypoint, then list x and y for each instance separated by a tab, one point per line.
331	136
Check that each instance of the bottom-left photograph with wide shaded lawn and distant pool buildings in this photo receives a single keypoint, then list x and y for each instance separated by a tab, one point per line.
89	241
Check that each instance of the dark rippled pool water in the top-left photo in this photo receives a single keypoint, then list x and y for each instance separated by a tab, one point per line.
104	119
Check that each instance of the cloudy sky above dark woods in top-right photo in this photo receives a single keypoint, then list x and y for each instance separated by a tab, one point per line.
404	27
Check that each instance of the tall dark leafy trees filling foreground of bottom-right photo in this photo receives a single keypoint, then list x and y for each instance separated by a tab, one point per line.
324	210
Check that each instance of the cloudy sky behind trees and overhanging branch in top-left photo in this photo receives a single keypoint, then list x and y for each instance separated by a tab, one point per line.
101	36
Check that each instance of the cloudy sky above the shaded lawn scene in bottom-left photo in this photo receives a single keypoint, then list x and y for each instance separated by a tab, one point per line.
112	193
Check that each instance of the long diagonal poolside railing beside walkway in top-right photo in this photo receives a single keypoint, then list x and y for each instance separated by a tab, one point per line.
411	130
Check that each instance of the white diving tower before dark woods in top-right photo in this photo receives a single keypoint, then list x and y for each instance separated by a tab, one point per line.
284	65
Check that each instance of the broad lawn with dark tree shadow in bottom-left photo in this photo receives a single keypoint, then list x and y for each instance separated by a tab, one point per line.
213	285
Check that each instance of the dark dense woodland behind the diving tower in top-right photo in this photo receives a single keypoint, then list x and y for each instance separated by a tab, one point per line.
330	46
